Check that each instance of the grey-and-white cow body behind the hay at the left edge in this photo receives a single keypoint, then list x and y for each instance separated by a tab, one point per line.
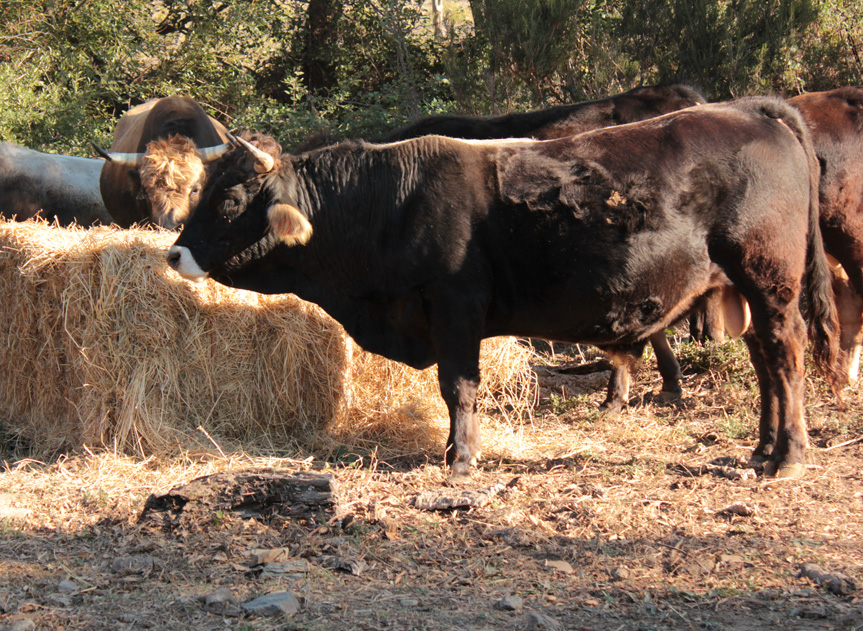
56	187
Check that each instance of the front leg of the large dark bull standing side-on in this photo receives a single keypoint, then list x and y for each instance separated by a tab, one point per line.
458	386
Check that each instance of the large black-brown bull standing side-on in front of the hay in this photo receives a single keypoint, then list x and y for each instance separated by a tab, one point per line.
422	248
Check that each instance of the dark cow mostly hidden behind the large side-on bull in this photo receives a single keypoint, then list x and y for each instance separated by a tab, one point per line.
566	120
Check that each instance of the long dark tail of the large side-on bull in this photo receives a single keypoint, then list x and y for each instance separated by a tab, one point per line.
820	310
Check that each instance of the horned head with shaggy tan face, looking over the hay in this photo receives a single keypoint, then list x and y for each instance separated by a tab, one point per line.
169	175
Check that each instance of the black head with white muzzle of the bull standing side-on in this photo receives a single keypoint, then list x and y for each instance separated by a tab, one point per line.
248	207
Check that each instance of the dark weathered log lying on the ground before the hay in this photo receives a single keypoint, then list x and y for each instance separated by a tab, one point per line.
259	494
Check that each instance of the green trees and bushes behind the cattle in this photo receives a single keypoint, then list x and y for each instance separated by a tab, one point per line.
354	68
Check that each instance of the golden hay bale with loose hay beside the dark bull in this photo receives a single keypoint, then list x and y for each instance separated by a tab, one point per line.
108	347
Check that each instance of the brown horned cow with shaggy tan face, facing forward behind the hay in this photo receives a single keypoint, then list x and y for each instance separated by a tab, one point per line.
157	162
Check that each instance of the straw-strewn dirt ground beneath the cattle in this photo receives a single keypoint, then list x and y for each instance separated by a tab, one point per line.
650	520
